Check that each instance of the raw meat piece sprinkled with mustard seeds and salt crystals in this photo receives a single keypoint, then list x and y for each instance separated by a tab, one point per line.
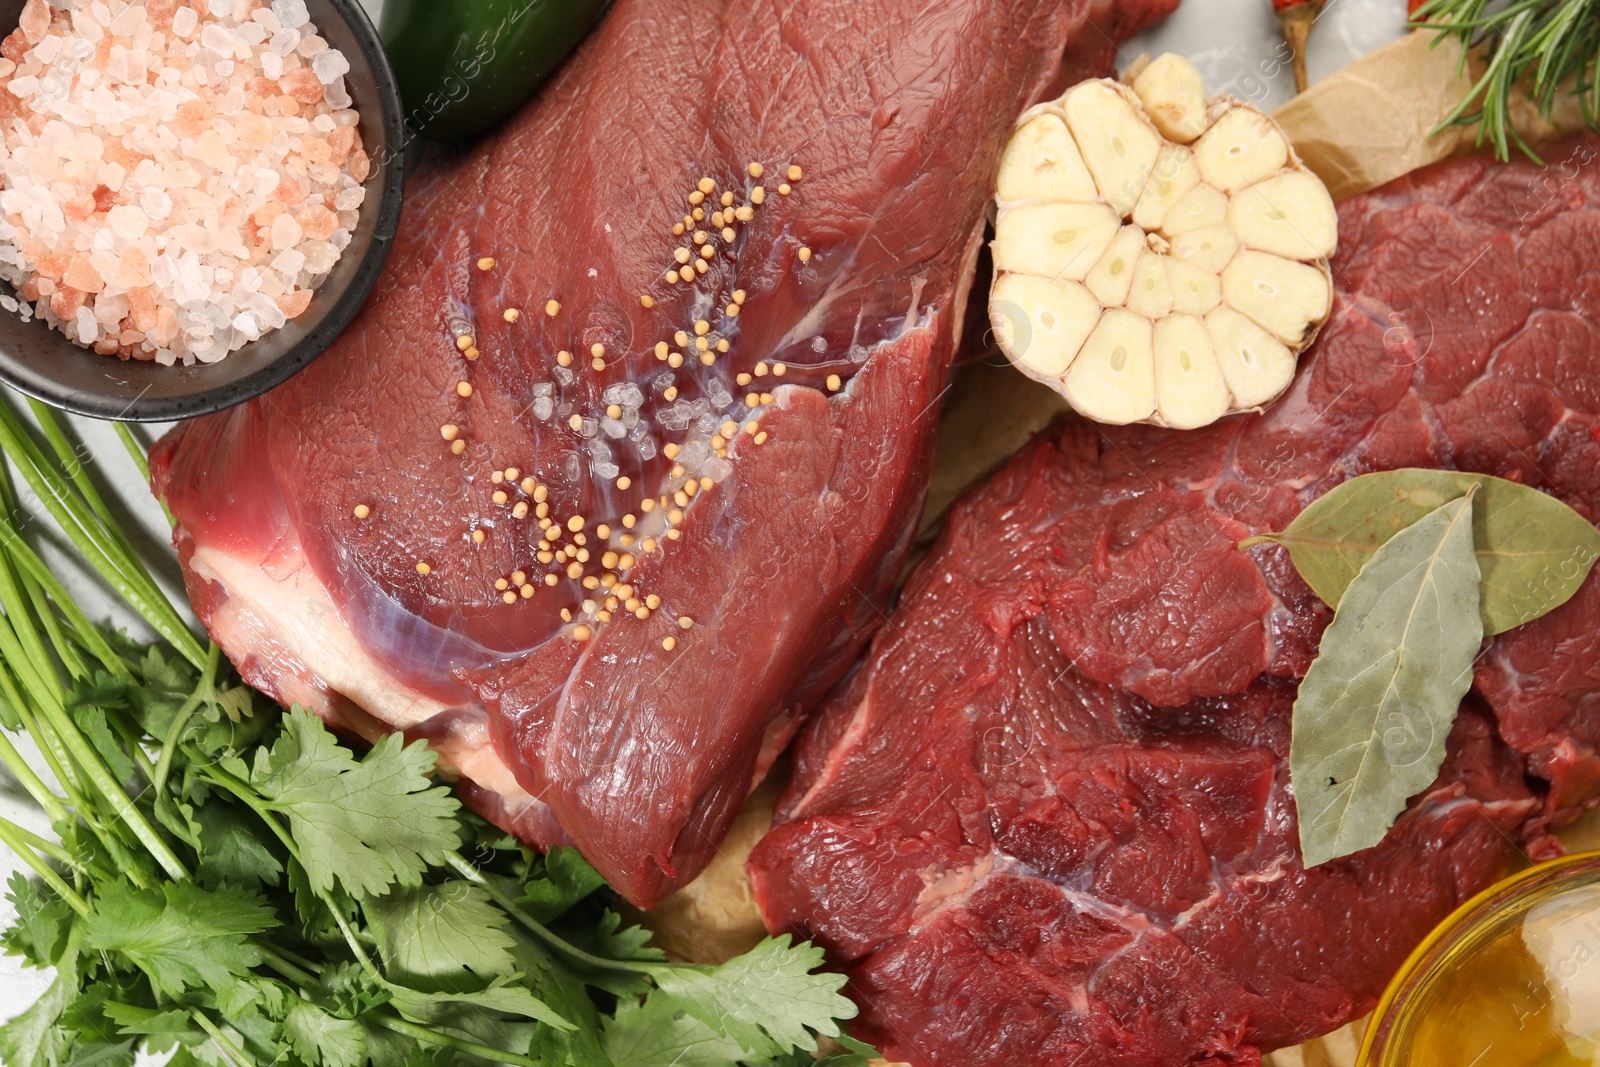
633	738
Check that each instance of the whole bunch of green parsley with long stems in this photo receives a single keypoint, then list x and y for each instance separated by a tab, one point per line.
236	887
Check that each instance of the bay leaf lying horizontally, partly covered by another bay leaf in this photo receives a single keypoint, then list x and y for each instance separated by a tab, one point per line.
1534	549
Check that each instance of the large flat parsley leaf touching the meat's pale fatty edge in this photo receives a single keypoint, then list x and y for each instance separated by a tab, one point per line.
366	825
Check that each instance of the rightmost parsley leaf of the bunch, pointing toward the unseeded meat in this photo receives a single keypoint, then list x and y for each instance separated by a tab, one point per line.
769	1001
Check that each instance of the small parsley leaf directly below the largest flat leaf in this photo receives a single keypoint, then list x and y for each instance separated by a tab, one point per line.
434	937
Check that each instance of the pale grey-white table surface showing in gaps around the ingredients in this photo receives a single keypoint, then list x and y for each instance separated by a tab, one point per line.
1234	42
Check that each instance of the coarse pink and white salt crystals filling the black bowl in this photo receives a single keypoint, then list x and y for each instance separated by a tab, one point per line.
177	178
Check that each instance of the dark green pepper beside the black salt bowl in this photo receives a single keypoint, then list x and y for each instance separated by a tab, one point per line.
466	65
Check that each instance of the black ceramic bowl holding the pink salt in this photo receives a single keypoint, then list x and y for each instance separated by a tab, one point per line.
41	362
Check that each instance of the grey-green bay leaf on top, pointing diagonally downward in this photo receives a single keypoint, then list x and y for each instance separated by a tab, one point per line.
1378	703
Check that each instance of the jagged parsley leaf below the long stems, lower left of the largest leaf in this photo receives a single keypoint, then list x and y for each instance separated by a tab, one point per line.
182	937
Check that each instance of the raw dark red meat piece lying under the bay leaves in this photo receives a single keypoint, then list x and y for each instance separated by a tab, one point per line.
1049	820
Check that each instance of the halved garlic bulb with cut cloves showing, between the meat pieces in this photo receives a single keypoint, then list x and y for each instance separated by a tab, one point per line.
1159	258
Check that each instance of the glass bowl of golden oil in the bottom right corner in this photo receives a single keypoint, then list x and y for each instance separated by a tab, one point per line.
1511	980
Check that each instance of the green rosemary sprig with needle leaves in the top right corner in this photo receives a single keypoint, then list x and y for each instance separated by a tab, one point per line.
1540	44
